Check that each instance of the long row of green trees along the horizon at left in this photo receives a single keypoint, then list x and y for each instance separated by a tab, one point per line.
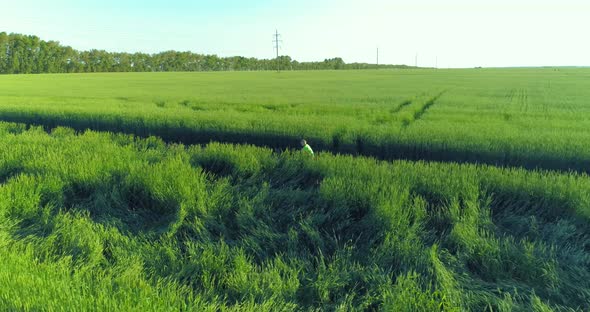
23	54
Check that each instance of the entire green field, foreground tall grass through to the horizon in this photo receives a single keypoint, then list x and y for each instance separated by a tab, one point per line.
453	190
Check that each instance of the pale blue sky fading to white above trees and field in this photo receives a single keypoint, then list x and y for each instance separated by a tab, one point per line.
459	33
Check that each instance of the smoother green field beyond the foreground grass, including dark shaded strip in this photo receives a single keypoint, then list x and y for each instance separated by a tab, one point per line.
536	118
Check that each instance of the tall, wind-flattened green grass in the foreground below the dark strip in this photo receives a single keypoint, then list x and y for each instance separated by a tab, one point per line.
102	221
